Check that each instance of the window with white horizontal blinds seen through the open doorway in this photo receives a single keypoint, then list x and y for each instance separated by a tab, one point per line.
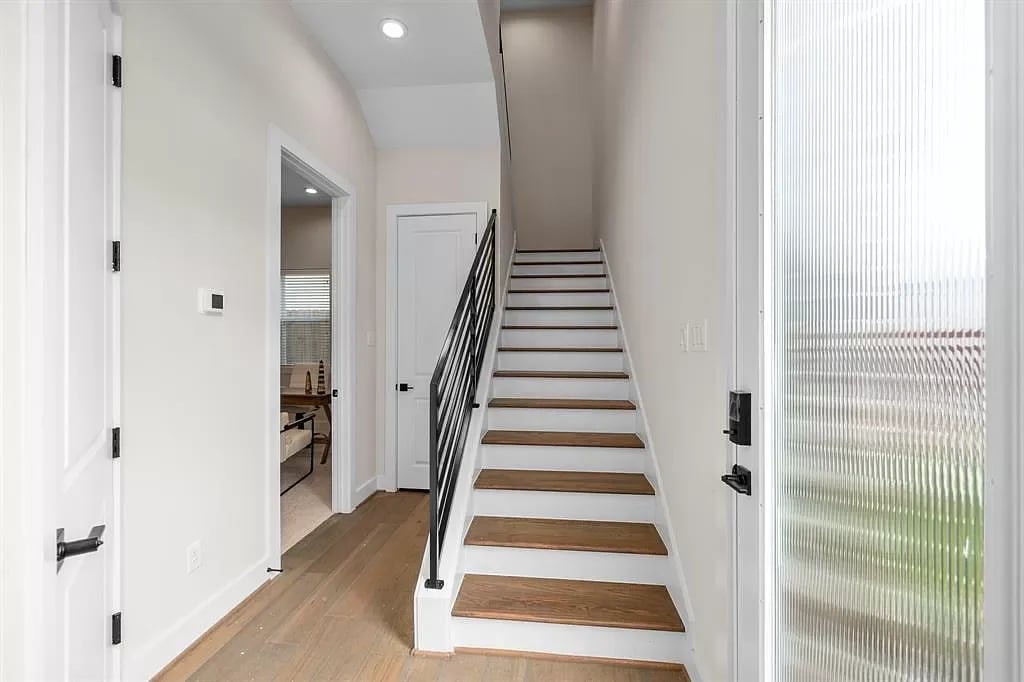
306	318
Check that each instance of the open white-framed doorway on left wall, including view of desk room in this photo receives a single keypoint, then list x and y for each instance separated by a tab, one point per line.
311	346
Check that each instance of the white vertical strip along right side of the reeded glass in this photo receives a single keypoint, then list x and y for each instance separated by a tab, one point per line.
1005	385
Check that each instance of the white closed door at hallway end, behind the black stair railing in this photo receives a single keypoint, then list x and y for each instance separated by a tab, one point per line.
435	255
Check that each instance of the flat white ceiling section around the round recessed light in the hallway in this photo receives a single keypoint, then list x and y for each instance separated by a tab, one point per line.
445	44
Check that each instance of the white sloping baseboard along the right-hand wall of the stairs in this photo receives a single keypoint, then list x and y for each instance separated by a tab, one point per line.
684	596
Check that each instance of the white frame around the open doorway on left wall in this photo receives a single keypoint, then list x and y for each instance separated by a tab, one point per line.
283	149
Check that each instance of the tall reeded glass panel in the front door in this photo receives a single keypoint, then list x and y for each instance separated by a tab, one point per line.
879	317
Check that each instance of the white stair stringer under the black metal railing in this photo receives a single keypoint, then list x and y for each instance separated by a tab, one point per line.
433	609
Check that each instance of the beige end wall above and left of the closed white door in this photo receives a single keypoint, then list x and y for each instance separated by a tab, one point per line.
424	177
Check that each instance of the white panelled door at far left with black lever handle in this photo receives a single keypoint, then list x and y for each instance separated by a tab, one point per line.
80	336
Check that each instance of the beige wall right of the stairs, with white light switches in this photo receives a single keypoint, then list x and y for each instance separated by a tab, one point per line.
660	202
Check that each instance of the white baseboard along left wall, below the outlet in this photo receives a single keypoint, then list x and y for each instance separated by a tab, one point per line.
144	661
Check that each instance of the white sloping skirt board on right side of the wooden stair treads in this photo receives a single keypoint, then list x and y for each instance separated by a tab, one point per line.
677	588
